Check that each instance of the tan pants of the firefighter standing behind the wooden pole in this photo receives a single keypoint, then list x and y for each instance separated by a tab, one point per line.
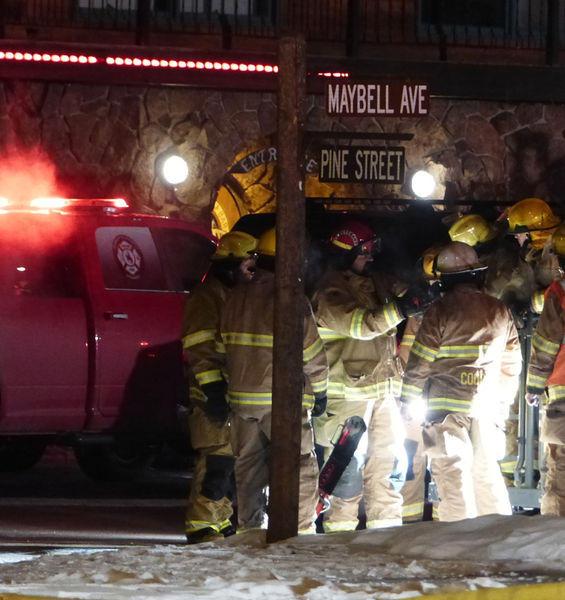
252	446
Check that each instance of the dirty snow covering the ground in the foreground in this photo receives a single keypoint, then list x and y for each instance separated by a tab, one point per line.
395	563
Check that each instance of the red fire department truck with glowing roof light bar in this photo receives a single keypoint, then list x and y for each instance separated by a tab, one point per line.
90	351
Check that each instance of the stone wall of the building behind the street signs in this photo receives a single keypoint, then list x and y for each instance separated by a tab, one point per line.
107	141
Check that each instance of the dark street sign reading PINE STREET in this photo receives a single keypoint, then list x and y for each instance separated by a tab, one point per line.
362	164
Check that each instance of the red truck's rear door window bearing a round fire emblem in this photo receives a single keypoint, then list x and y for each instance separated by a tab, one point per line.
129	259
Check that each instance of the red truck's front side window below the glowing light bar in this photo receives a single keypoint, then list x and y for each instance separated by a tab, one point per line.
49	274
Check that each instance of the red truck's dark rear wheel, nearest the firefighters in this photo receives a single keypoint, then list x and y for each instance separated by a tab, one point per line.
122	460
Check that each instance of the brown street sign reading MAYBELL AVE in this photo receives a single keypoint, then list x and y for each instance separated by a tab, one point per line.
392	99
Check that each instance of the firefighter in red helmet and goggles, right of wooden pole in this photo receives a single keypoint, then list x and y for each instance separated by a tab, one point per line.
357	318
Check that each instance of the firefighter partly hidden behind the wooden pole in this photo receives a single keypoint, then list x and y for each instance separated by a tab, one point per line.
247	337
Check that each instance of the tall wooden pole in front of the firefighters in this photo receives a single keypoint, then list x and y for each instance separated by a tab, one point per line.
289	295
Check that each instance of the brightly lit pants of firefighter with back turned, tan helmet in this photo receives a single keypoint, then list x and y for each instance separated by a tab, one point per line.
464	453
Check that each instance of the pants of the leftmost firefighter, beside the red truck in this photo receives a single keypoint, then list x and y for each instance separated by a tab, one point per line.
209	501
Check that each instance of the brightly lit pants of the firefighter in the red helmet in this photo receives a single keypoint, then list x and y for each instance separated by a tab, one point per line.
384	468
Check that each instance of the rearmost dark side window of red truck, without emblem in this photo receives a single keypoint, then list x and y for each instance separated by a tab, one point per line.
185	256
